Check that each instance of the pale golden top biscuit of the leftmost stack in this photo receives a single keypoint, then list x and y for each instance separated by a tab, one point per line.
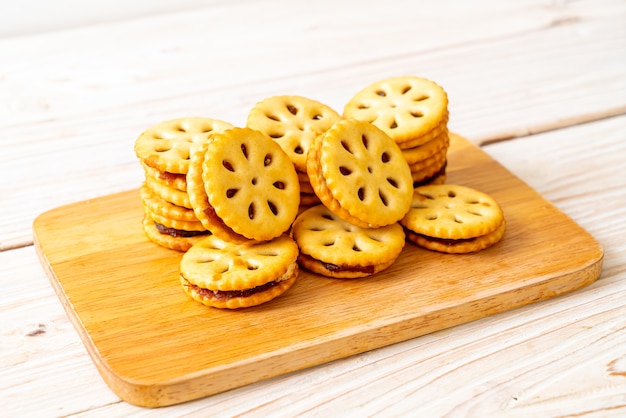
166	146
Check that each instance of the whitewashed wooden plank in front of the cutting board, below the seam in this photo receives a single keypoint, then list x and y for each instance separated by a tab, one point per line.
508	363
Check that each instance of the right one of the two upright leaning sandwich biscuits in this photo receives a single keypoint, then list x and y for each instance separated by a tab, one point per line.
360	174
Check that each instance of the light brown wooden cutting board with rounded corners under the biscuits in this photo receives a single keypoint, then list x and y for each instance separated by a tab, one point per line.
154	346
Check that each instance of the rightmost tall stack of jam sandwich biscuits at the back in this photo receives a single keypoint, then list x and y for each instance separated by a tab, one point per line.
413	111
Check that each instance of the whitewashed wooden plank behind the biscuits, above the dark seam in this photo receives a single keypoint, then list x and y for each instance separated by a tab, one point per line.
72	102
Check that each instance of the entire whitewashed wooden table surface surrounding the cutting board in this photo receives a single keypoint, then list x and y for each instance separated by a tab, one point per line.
539	85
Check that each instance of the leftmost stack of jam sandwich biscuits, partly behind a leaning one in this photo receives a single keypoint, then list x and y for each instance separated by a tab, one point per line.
163	151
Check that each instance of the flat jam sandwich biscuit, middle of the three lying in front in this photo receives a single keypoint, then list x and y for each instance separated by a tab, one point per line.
333	247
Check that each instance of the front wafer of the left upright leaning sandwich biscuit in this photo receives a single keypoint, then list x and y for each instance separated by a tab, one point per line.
250	184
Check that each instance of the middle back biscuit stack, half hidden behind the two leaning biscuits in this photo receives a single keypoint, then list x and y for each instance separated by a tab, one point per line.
294	122
